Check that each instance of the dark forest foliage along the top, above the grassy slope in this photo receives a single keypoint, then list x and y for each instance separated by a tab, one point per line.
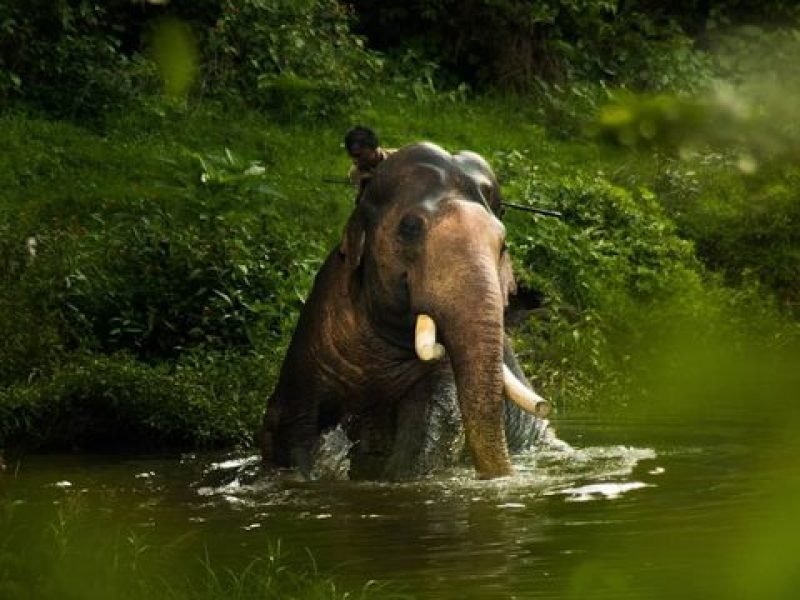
302	60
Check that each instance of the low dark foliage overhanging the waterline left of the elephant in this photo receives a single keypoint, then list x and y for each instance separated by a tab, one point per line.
94	402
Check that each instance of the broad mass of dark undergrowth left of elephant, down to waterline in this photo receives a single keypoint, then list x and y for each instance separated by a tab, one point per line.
155	327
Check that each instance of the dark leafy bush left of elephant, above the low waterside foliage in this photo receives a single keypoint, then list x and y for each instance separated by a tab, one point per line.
138	282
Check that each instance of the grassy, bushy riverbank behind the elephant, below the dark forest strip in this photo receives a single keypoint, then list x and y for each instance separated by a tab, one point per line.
174	246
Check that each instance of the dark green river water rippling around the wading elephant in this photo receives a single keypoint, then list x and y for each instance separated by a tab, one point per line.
638	510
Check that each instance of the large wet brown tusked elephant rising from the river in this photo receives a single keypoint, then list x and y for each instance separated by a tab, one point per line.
401	341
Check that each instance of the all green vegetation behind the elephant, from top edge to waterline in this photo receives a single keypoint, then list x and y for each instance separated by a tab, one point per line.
163	208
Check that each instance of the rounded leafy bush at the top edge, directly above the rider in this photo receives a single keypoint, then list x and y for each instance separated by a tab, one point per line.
298	59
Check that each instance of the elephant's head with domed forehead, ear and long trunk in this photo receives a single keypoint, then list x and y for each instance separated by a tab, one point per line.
424	245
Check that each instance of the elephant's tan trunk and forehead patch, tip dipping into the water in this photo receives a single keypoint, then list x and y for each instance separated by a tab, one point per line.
459	282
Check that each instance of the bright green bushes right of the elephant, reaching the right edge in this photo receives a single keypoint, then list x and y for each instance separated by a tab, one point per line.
618	291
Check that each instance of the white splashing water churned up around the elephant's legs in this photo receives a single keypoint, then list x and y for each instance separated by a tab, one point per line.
550	468
